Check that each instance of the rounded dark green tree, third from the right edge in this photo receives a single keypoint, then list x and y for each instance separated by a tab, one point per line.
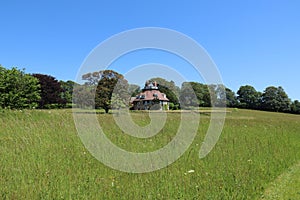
249	97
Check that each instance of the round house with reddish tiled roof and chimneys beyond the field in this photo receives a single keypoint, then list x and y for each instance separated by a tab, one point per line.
150	98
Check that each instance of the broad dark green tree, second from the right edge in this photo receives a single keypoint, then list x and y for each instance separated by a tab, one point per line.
275	99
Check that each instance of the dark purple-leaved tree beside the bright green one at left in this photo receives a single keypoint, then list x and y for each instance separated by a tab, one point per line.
50	91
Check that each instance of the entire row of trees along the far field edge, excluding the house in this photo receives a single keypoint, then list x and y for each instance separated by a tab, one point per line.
19	90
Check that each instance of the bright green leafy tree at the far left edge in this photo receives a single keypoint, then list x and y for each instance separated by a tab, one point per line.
17	89
